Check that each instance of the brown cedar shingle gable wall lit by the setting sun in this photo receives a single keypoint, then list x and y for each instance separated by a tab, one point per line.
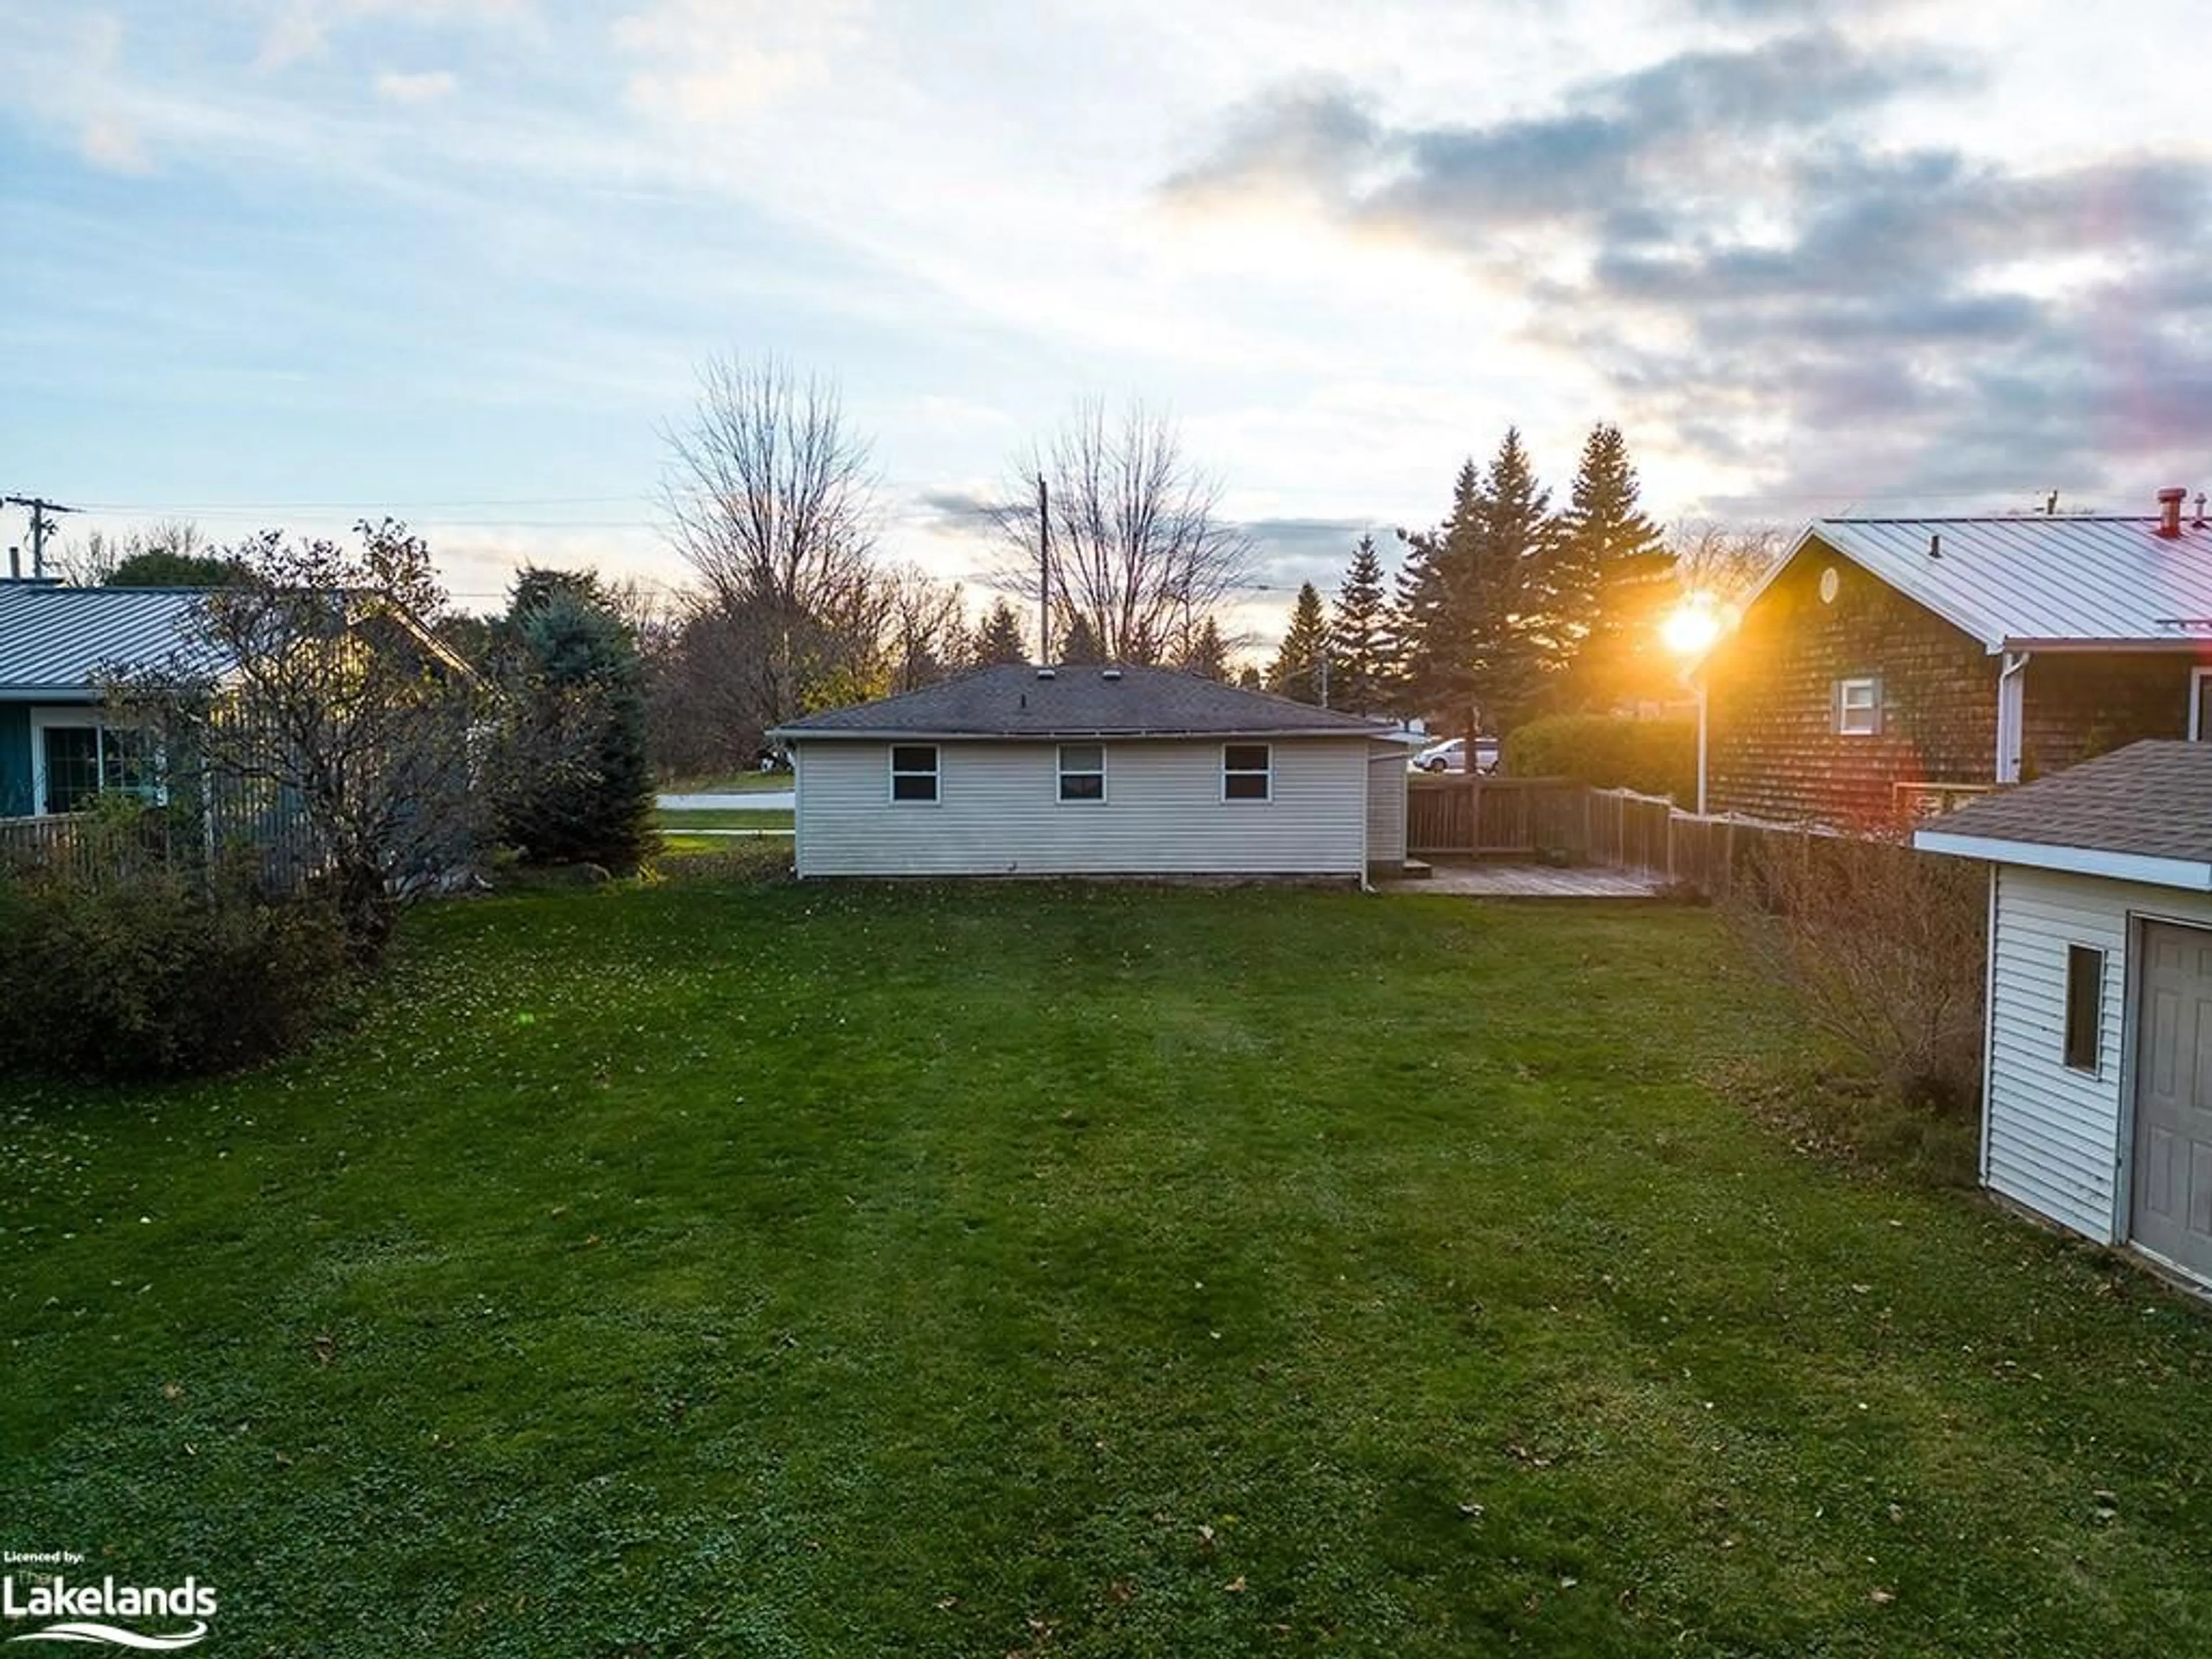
1771	720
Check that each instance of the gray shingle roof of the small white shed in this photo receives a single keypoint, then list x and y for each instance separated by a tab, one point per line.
2147	802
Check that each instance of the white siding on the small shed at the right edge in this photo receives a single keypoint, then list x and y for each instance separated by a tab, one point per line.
2054	1136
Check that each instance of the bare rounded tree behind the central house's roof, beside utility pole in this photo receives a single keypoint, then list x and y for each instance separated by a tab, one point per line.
1140	554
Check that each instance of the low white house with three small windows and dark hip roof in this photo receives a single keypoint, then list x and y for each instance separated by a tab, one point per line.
1094	773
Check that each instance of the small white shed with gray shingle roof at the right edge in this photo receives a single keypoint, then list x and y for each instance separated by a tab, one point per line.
2098	1087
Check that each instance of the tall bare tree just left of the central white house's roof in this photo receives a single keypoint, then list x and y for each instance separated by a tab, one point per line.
771	499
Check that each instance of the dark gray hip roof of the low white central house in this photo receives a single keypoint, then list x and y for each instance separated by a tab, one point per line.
1081	702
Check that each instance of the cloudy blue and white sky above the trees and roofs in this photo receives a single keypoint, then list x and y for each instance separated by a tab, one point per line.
293	262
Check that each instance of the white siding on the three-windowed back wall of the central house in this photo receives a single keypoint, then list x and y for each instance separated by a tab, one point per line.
1001	815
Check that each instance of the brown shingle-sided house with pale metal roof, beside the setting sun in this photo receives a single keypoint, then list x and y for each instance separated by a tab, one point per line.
1888	667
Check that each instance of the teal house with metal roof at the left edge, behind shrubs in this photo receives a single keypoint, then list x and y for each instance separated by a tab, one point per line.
56	744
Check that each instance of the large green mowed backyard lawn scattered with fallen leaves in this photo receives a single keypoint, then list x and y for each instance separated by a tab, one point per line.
979	1271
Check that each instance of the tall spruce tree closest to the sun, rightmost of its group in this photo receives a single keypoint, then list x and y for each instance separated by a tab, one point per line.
1616	578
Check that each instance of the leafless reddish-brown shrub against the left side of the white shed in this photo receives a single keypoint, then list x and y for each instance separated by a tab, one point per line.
1886	952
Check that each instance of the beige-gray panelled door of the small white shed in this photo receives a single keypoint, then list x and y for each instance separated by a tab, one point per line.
2173	1098
